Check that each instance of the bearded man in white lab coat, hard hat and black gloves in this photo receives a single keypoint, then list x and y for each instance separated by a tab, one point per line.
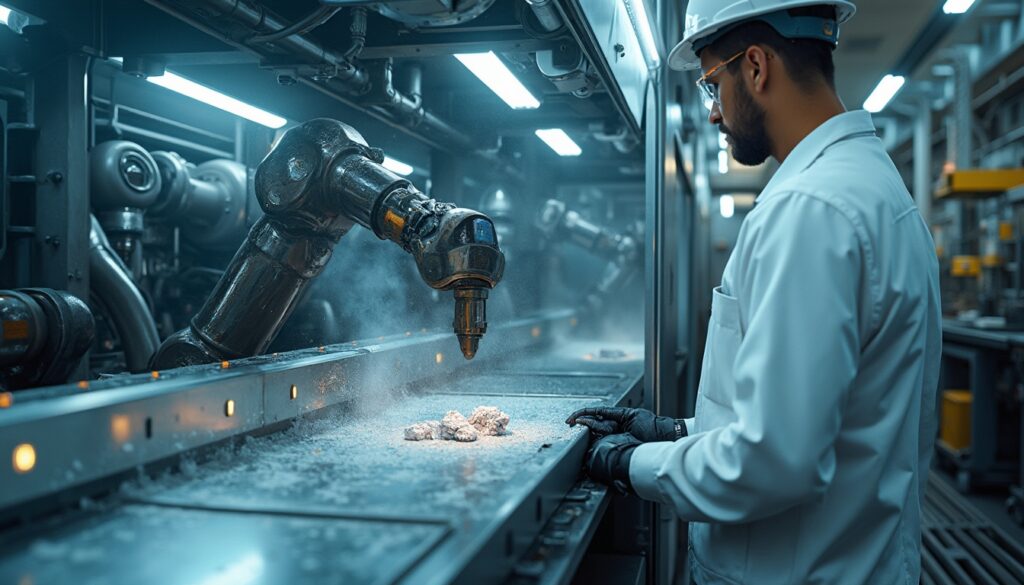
807	457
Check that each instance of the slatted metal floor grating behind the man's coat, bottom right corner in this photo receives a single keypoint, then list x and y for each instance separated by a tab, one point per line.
961	547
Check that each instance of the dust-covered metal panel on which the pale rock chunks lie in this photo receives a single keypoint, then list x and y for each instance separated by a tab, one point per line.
363	464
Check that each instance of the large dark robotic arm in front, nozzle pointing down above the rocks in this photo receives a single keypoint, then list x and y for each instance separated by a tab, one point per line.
319	182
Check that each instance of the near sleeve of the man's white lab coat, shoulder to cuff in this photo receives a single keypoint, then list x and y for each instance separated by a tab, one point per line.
799	277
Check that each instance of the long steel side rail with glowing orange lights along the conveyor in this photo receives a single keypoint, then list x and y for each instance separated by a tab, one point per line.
127	422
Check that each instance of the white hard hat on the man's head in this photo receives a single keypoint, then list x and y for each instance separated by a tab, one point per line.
707	18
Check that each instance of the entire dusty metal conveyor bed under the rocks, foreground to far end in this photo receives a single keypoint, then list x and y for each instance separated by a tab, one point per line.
343	498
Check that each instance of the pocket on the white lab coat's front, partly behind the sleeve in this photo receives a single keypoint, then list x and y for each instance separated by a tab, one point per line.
718	387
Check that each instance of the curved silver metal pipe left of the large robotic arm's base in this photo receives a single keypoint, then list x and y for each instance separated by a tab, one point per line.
114	287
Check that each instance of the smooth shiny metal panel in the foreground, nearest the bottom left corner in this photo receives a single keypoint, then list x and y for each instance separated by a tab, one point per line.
156	545
